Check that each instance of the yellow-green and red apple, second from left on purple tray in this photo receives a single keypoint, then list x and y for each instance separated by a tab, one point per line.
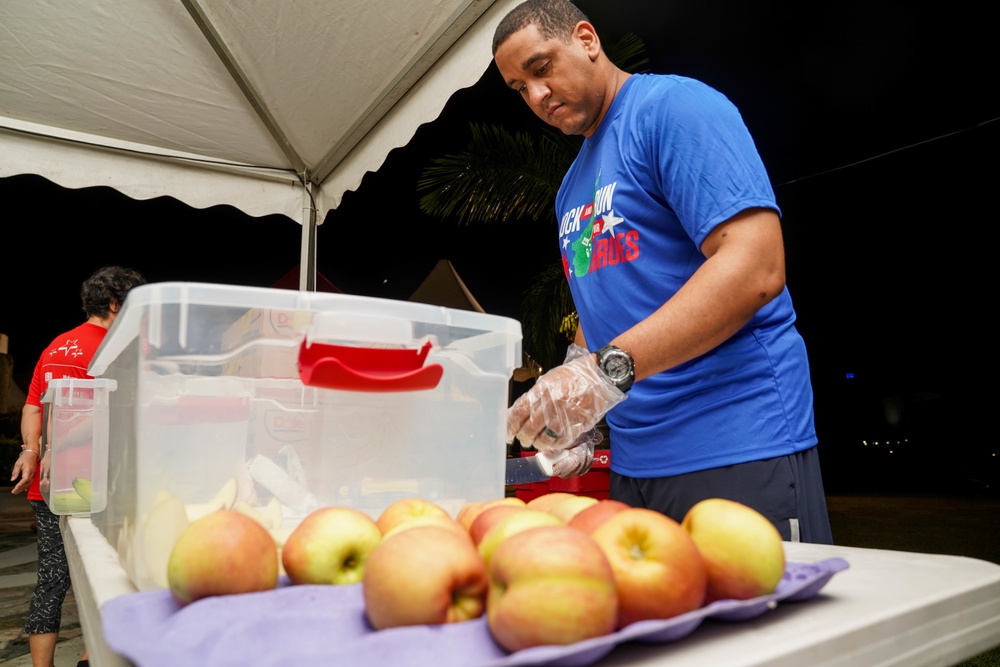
330	546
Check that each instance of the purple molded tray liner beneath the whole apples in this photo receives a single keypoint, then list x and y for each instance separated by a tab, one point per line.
312	625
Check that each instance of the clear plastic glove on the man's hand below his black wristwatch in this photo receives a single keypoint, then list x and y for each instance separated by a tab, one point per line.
564	404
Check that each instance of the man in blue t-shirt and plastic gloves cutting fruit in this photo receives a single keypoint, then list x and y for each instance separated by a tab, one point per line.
671	242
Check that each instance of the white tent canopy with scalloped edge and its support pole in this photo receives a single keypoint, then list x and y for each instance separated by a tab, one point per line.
269	106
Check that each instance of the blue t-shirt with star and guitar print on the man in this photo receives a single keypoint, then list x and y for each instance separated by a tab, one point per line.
671	160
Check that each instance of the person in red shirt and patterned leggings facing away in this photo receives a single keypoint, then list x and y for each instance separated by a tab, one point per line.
67	356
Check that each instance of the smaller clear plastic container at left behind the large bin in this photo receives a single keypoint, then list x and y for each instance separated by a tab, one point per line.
75	435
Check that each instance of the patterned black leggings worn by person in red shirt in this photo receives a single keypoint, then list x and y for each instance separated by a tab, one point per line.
45	610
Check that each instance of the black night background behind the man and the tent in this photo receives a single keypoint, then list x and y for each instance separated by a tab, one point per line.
876	121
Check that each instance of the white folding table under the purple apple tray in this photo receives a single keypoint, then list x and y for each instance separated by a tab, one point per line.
887	608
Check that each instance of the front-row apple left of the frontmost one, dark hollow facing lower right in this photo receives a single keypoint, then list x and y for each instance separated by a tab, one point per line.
426	575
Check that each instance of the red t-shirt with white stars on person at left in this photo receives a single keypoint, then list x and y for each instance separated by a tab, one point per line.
67	356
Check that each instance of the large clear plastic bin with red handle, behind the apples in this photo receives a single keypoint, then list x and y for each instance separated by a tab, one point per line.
200	427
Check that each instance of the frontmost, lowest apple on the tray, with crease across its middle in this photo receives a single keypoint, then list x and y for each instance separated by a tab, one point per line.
550	585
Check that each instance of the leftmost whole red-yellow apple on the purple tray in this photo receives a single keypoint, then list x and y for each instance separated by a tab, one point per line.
223	553
